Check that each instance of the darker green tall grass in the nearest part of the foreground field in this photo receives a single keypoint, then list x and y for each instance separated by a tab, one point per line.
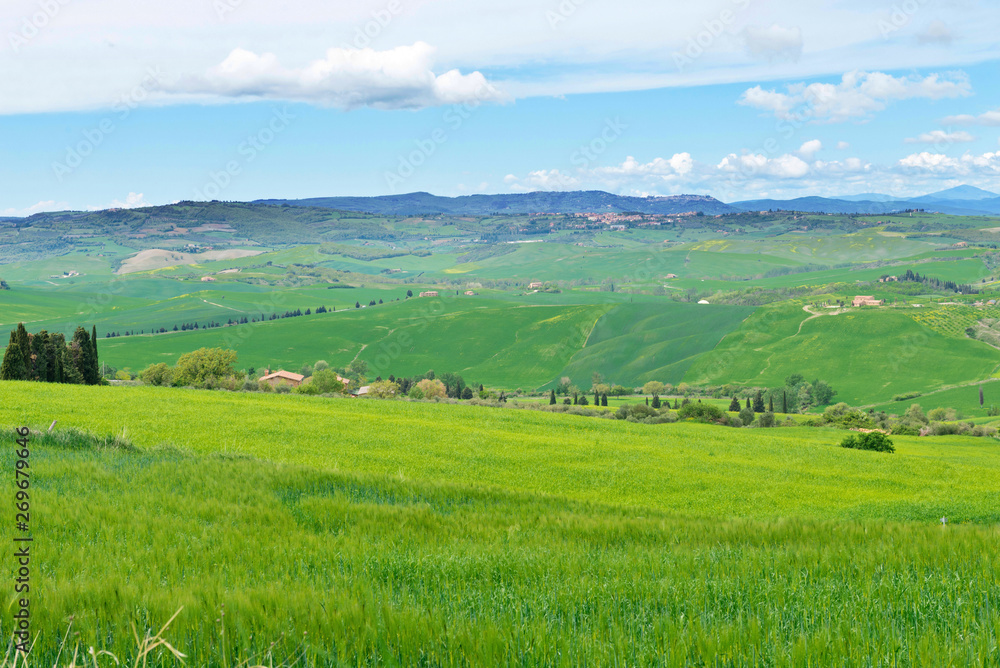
281	563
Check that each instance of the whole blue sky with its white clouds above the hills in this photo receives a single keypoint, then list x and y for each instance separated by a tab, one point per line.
115	105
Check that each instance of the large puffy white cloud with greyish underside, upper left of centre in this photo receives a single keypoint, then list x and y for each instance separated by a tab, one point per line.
348	78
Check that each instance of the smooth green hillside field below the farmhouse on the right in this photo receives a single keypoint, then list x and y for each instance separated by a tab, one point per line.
867	355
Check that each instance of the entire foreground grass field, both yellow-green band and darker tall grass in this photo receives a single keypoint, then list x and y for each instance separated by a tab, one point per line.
454	535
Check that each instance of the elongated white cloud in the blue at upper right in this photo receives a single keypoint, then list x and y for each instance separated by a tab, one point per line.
858	95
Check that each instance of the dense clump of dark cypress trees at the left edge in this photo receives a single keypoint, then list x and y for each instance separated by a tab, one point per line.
48	358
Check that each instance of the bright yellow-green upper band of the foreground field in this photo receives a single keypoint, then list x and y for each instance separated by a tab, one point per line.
697	470
